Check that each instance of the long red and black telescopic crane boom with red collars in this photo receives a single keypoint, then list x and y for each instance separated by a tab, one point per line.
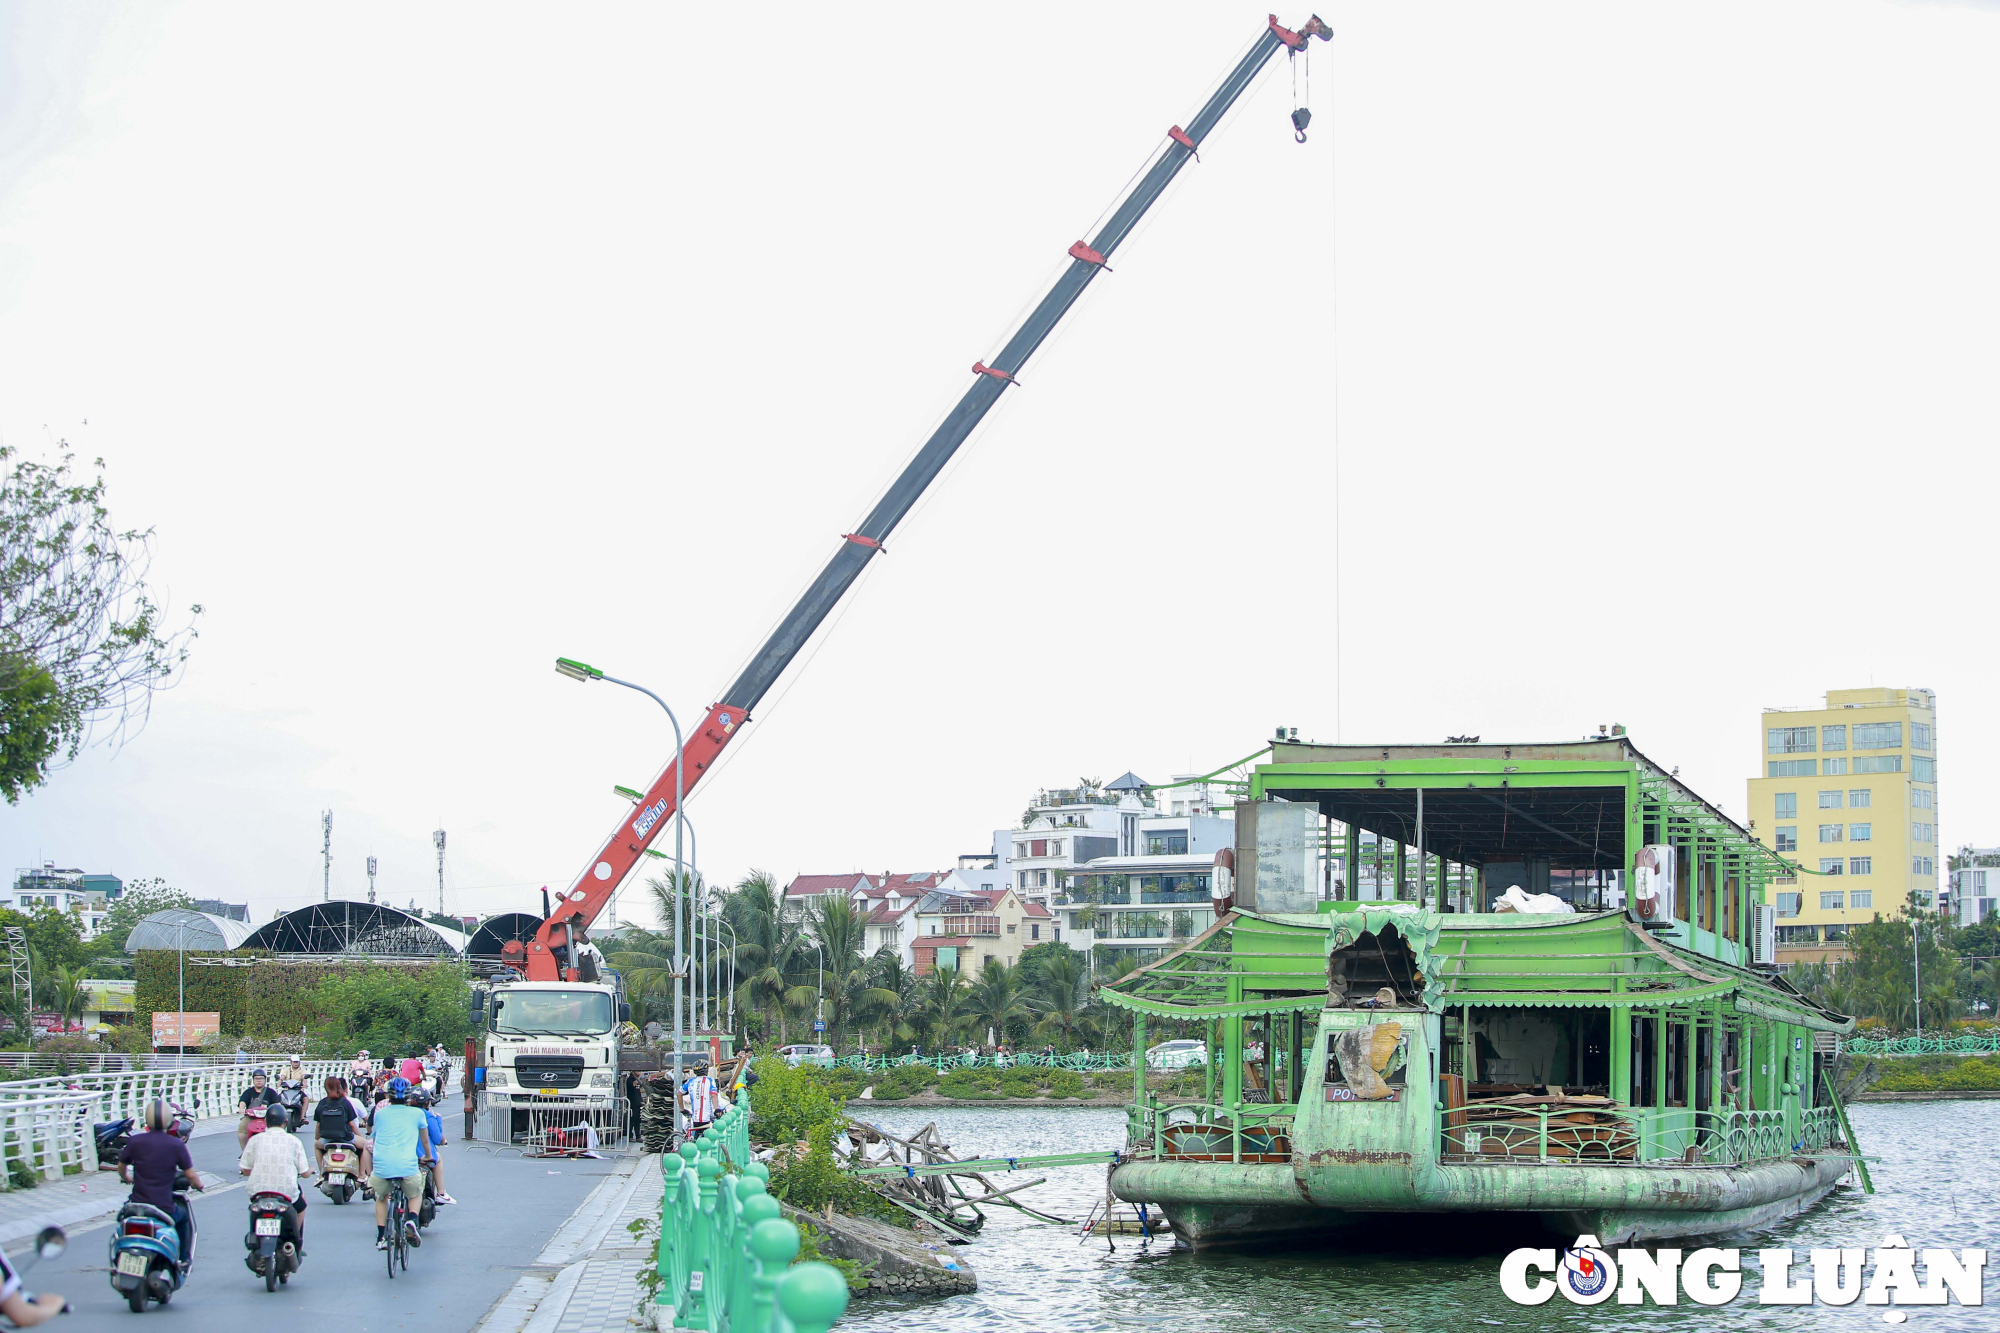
551	956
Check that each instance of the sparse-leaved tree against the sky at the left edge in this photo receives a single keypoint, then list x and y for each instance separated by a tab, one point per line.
83	645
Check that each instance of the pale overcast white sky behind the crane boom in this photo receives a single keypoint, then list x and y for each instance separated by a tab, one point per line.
1587	365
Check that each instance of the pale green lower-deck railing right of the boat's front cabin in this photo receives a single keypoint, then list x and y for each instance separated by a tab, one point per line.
1631	1136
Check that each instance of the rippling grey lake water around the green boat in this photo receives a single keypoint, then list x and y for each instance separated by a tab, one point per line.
1937	1180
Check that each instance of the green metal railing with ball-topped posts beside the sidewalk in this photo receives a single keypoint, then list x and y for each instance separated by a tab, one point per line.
727	1250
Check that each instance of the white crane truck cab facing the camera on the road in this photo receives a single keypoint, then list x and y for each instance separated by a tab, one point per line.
551	1060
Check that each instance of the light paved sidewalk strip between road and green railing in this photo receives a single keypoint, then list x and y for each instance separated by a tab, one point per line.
587	1278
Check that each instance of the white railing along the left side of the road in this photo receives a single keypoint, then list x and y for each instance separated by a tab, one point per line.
47	1122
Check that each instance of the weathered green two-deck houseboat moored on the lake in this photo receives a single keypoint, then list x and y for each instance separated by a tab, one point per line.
1387	1042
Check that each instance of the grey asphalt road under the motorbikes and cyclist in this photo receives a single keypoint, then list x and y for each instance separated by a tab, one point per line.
471	1258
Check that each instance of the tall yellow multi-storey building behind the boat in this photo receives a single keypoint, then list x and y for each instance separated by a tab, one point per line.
1849	792
